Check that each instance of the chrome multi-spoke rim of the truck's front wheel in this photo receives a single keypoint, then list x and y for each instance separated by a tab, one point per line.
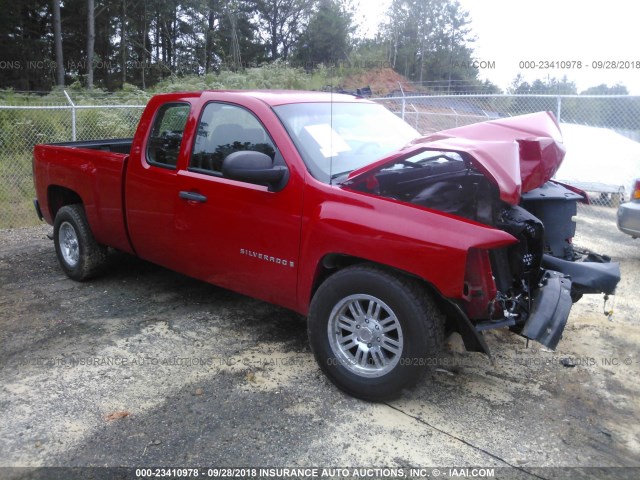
365	335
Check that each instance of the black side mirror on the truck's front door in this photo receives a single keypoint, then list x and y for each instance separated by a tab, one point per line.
254	167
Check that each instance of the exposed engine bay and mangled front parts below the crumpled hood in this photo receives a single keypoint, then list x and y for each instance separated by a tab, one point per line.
533	274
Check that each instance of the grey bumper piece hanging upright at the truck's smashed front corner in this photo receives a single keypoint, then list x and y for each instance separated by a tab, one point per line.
550	310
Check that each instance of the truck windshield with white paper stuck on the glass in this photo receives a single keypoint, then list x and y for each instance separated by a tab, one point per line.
337	138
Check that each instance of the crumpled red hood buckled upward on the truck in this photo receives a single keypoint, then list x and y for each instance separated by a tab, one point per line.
518	154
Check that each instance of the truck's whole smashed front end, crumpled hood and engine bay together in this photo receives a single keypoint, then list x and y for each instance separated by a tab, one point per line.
529	285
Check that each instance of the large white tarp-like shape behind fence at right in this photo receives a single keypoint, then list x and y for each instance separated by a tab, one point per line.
599	157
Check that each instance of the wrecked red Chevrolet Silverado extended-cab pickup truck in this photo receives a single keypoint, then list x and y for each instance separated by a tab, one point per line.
332	206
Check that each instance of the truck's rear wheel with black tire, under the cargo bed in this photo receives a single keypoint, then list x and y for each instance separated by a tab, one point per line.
79	255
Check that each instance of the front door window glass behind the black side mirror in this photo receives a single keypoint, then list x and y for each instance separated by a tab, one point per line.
224	129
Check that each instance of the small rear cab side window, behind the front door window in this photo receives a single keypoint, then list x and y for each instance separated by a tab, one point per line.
163	146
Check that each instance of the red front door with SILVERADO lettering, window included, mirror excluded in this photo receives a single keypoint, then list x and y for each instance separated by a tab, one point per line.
237	234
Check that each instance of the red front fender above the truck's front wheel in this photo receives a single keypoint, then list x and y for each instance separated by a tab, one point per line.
425	243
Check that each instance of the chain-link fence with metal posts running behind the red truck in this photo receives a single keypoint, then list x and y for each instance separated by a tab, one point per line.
602	135
